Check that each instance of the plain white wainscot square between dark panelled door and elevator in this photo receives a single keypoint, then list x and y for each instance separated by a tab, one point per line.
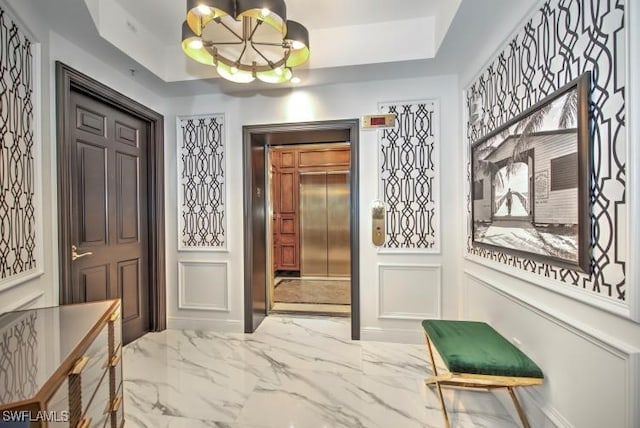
203	285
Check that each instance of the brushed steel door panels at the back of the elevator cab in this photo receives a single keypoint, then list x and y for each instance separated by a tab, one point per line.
324	222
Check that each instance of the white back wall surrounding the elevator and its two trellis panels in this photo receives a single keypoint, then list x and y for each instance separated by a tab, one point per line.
343	101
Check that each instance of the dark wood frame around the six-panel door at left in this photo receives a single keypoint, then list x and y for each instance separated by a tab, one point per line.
67	80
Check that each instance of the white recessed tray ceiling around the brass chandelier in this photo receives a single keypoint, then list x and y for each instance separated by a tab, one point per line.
418	38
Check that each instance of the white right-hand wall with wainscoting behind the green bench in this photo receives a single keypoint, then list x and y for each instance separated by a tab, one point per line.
590	356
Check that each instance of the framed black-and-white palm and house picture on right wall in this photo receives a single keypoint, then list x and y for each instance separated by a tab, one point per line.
530	181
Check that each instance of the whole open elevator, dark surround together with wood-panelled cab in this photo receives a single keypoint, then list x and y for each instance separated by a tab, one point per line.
277	158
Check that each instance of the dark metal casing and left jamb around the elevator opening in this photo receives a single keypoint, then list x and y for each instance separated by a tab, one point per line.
257	139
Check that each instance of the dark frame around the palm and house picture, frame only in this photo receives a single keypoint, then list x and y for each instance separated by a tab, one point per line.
584	166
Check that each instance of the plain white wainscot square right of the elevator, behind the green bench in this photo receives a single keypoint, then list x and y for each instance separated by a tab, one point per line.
409	291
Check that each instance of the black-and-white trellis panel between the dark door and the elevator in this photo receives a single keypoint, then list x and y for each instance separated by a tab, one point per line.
201	175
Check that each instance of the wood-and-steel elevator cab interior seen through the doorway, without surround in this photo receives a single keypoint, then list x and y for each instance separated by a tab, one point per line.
309	201
